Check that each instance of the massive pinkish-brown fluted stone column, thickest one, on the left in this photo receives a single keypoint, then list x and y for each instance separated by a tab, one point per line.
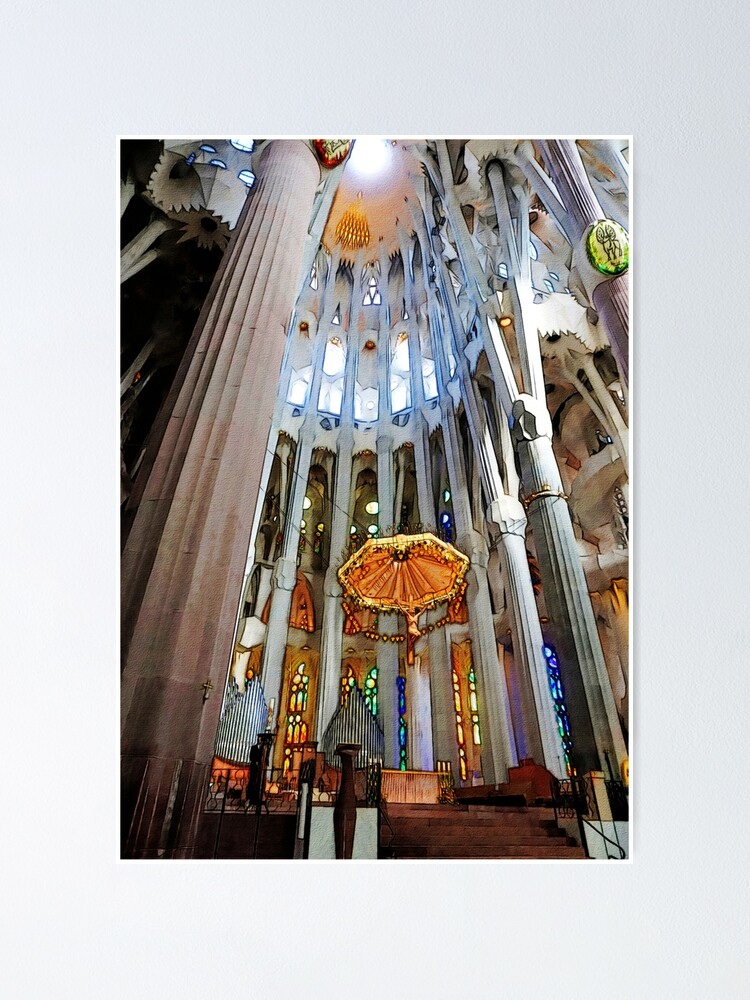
185	555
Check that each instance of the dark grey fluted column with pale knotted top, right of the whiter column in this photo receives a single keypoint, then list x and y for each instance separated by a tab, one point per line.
589	700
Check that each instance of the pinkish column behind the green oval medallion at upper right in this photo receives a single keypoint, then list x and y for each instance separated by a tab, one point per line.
610	296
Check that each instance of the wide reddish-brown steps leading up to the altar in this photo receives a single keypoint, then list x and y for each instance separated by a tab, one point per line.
461	831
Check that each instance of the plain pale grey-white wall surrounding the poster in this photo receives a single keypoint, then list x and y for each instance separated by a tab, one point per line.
73	76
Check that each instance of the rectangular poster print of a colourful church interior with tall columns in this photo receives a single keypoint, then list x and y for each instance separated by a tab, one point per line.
375	501
